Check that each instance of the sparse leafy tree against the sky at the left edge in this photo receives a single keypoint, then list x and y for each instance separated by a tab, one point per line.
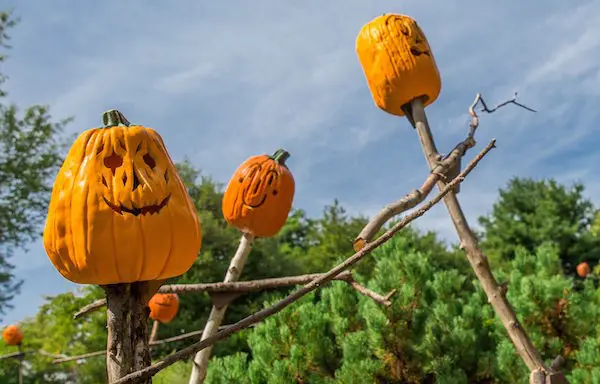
30	153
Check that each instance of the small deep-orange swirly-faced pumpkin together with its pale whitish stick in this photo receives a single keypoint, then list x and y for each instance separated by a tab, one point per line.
257	201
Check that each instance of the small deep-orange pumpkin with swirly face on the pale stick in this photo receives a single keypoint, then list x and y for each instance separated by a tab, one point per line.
259	196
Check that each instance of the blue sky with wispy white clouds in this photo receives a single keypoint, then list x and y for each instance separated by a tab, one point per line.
222	81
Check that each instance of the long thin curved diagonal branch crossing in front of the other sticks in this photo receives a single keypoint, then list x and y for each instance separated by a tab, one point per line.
318	282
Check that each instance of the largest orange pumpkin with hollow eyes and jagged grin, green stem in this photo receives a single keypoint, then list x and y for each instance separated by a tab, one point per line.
119	212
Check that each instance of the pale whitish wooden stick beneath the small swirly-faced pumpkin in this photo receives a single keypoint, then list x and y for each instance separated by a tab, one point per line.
217	313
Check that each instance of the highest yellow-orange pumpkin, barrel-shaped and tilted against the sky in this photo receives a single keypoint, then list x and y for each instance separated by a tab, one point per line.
397	62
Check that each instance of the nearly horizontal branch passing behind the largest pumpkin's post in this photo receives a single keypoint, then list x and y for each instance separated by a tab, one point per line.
242	287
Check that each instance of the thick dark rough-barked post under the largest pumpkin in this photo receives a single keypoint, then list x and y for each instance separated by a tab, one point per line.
127	348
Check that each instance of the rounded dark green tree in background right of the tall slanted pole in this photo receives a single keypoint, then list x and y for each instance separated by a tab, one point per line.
529	213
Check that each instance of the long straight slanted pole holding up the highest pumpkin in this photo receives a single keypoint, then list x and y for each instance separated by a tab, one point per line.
468	242
